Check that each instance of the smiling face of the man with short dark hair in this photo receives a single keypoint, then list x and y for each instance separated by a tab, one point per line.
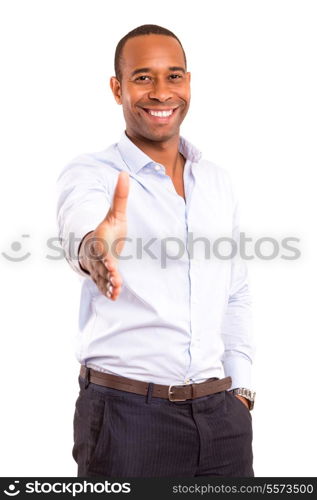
155	88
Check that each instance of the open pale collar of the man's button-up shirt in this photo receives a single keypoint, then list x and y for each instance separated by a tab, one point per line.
136	159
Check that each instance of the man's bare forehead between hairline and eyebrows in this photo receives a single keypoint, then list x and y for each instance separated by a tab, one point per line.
154	51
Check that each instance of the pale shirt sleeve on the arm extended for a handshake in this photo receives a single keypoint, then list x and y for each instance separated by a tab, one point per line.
82	203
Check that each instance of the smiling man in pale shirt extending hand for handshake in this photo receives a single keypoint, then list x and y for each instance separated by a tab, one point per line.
164	327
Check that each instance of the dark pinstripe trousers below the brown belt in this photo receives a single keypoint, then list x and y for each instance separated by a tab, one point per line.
120	434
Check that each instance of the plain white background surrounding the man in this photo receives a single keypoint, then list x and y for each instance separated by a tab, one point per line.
253	111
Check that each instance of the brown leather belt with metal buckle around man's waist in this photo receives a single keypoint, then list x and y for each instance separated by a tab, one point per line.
172	392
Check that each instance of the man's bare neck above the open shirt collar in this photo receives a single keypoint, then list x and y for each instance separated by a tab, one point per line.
164	152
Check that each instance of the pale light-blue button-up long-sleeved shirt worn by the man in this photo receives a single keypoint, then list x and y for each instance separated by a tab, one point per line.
183	315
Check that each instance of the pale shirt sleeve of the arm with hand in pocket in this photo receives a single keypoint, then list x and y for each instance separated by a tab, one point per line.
237	326
